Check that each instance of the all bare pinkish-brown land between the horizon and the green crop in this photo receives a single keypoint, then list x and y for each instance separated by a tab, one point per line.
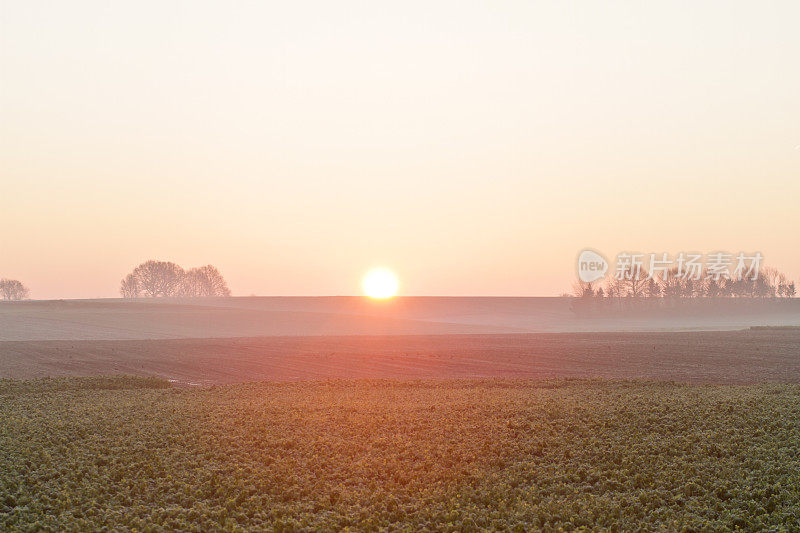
229	340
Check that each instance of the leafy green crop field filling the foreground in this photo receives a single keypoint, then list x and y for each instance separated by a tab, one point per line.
128	453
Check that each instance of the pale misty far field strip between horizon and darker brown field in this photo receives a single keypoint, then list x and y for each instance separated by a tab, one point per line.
259	316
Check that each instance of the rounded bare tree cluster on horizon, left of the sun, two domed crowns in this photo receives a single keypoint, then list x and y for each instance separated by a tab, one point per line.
154	279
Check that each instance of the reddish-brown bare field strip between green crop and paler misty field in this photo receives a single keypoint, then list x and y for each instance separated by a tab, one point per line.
750	356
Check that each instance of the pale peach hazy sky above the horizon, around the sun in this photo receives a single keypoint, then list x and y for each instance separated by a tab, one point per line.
472	147
